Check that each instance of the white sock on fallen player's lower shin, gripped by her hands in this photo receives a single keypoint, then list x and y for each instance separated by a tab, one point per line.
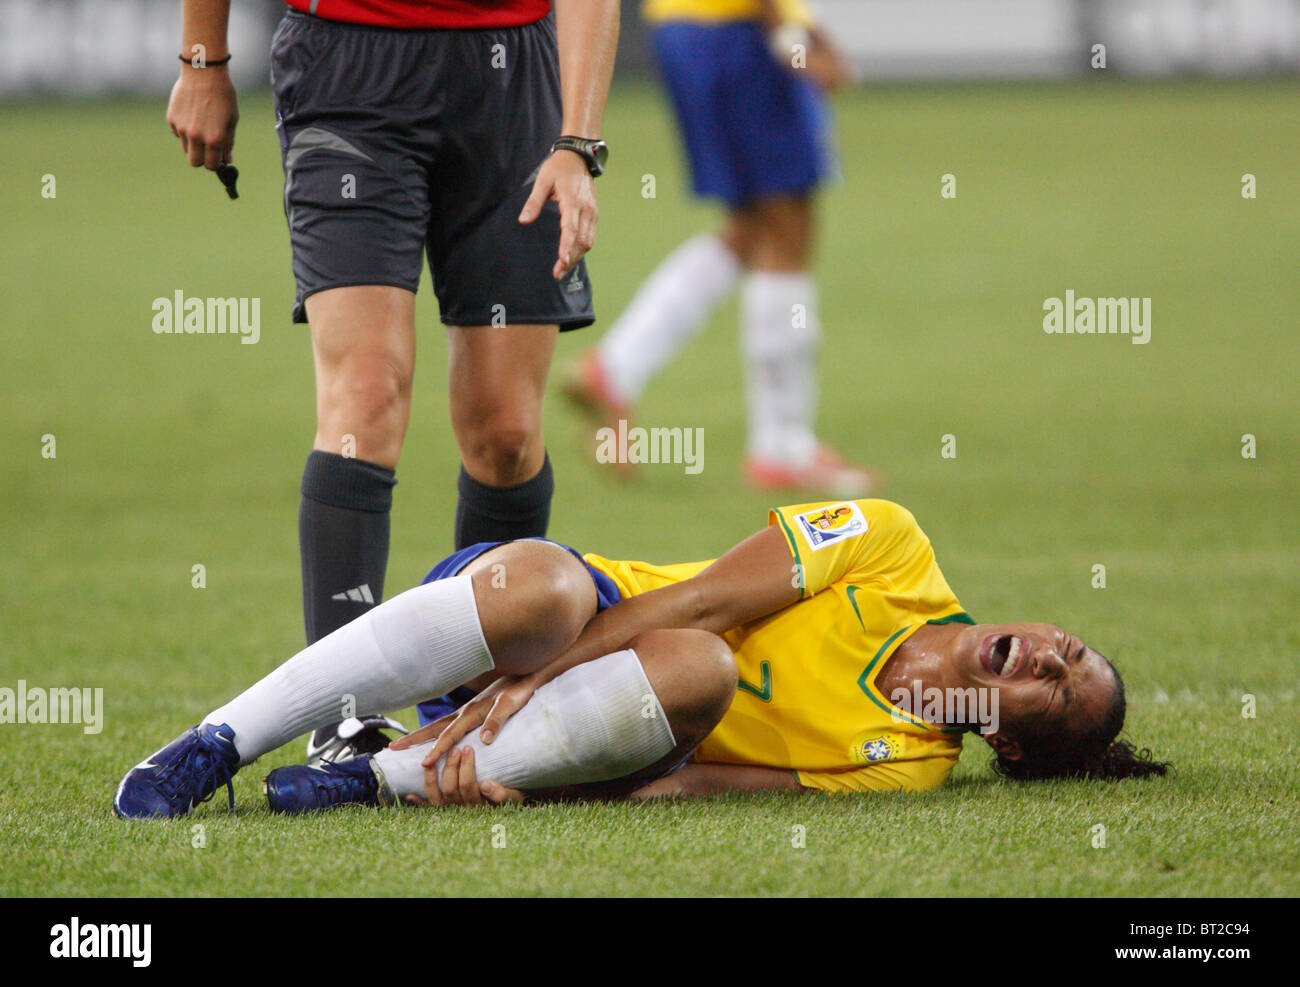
593	724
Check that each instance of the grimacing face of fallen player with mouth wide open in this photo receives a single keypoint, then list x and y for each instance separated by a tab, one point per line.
1047	679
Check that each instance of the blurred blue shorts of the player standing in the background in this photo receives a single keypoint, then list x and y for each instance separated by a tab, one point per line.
753	129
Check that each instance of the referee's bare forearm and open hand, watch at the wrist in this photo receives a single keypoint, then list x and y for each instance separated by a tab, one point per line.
588	34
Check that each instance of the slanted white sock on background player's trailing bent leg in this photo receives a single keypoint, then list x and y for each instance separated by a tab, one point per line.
670	308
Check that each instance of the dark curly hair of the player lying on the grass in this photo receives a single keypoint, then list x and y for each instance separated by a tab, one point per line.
1094	755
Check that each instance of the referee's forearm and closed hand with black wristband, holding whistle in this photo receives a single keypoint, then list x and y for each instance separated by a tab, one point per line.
203	111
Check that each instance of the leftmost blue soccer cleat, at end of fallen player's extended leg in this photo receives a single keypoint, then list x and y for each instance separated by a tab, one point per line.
177	778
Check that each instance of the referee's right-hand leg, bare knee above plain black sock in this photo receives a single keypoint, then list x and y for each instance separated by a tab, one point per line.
497	383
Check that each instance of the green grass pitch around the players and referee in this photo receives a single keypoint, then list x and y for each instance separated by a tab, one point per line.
1072	452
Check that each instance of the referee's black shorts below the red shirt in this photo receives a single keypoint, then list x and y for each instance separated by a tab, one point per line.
398	142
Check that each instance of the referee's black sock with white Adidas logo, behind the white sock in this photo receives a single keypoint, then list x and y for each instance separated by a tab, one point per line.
344	539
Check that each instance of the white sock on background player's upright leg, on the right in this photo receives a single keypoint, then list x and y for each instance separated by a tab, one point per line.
781	334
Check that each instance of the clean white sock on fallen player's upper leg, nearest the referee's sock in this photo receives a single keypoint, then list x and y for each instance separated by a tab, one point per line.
422	643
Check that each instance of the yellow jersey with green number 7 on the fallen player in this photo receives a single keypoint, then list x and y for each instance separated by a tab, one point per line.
808	699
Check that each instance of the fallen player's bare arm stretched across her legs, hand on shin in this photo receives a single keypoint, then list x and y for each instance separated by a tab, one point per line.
748	583
